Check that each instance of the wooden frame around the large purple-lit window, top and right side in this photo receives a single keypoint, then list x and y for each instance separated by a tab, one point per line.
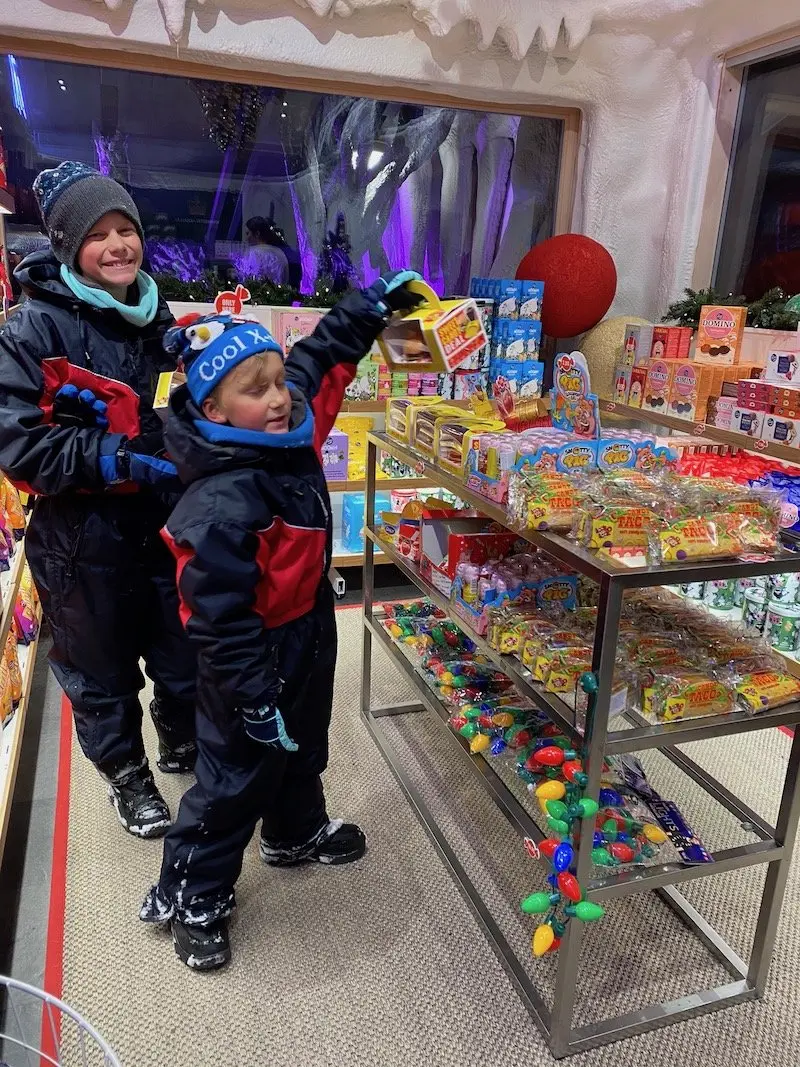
151	63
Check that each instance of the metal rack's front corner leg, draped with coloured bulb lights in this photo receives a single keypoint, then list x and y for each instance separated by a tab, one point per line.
604	655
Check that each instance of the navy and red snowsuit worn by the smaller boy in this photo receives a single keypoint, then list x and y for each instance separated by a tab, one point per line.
252	535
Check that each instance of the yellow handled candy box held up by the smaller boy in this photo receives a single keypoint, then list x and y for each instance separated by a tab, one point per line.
439	336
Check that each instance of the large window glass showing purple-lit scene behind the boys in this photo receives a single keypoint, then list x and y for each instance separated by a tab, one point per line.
286	187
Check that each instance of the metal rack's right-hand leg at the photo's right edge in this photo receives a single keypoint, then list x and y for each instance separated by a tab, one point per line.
775	885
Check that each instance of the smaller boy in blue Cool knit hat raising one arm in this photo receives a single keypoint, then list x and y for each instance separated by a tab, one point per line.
252	538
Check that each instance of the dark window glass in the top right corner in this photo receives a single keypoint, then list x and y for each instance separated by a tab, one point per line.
760	246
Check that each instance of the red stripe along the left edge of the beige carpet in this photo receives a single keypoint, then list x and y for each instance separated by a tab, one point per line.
55	952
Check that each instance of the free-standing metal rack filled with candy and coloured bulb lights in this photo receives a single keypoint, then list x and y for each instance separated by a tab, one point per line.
549	646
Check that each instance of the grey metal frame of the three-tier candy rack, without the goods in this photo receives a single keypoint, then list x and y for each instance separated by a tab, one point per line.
773	848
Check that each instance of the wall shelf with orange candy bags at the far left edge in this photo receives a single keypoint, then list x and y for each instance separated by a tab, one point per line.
20	623
